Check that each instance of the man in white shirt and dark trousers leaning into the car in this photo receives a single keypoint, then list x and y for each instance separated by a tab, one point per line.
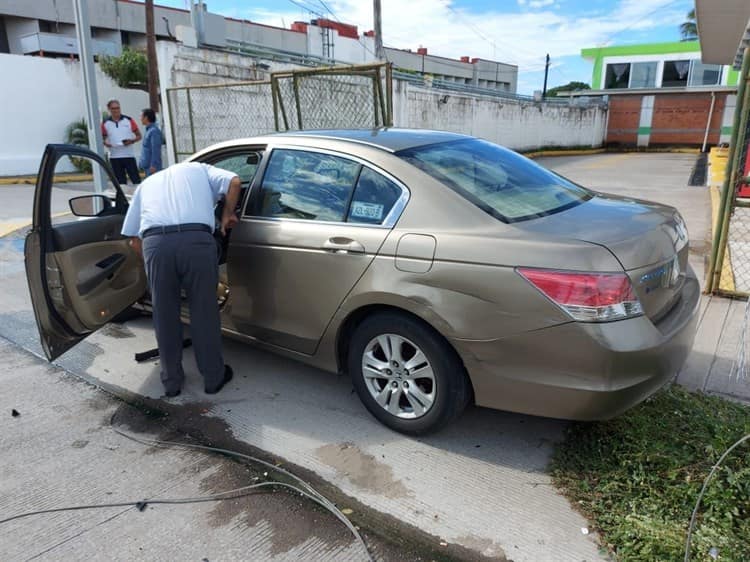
171	220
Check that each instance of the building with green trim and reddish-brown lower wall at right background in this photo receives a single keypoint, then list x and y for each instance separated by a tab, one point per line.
662	94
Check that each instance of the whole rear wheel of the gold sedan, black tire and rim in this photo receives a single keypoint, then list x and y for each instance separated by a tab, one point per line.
448	387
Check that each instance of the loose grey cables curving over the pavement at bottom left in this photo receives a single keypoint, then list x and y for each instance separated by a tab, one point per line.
305	489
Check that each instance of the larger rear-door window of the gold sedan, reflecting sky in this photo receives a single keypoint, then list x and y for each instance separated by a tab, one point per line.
307	185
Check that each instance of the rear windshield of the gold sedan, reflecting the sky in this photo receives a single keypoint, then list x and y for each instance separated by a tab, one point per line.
497	180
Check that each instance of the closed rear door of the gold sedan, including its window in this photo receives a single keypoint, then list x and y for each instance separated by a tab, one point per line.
294	256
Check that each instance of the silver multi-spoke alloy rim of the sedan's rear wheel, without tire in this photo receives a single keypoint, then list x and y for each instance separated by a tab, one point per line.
399	376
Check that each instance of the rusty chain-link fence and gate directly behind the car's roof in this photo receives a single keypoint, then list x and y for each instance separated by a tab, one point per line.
320	98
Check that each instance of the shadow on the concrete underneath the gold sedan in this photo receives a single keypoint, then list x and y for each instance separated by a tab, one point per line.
275	395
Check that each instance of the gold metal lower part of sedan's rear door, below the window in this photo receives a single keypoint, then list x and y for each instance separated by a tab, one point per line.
289	277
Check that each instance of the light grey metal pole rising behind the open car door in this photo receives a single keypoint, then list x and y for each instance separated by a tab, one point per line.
86	57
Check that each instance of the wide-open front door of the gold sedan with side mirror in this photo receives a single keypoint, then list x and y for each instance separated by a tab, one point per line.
81	271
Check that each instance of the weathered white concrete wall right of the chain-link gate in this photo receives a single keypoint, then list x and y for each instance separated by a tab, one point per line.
515	124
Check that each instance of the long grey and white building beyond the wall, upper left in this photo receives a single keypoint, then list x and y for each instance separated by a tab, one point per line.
47	28
